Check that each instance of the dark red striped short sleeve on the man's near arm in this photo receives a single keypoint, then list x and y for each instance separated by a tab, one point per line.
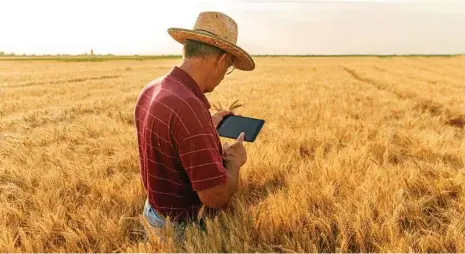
201	158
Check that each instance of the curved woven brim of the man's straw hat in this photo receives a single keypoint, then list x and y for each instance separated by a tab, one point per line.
242	60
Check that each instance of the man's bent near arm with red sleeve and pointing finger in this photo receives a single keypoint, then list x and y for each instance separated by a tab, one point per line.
213	177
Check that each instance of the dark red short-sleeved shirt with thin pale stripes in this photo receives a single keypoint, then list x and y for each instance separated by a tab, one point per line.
179	149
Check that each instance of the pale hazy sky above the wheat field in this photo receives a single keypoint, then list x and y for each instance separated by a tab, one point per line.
128	27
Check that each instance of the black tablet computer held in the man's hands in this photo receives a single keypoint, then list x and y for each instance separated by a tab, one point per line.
232	126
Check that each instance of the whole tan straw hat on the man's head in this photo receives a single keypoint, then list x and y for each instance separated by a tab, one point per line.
219	30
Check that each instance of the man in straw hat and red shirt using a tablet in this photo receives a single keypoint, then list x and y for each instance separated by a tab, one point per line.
182	163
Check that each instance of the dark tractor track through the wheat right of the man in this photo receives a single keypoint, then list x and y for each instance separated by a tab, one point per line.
421	105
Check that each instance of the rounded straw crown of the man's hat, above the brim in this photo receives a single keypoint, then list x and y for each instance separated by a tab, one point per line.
218	24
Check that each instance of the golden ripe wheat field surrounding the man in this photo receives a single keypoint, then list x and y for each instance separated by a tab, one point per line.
358	154
